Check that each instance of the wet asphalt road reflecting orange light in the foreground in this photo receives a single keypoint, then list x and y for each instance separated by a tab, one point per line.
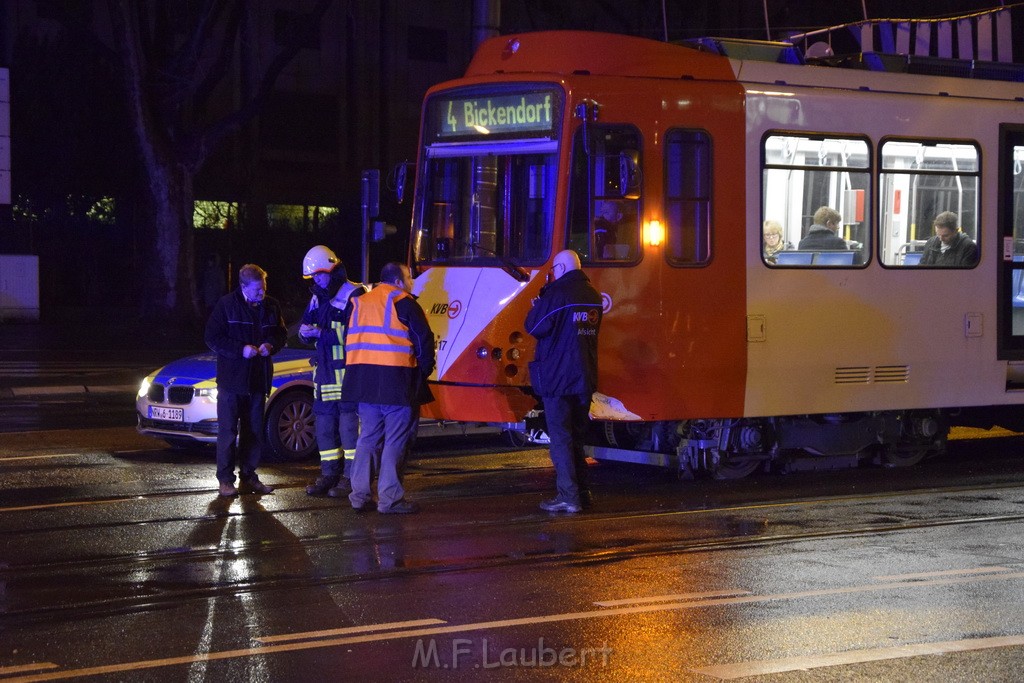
120	563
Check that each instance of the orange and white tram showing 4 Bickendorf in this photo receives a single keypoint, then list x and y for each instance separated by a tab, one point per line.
661	164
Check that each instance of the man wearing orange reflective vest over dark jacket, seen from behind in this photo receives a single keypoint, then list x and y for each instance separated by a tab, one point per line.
390	354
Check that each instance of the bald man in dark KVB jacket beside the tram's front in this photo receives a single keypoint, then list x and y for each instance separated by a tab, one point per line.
566	321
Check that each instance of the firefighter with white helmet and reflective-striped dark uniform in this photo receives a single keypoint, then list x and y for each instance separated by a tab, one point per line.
324	323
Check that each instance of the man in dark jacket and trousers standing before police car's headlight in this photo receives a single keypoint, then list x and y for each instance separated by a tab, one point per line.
244	330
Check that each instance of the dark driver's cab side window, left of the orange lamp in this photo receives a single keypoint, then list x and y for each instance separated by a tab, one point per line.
605	195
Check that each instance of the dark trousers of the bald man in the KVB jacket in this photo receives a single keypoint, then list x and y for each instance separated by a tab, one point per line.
568	418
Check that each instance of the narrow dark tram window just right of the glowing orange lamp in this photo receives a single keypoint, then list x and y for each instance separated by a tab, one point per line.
688	197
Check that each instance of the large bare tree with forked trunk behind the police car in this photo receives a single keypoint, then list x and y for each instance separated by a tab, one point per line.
169	78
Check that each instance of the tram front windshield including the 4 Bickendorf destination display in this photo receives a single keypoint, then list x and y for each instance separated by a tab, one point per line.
488	180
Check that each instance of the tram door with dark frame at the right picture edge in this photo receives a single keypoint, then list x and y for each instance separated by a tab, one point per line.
1011	221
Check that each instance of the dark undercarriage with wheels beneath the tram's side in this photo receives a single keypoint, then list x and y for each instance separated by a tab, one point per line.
734	449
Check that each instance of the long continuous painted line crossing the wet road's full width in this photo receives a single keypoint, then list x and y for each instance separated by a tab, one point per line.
502	624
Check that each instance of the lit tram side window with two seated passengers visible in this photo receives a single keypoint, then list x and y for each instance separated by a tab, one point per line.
817	192
